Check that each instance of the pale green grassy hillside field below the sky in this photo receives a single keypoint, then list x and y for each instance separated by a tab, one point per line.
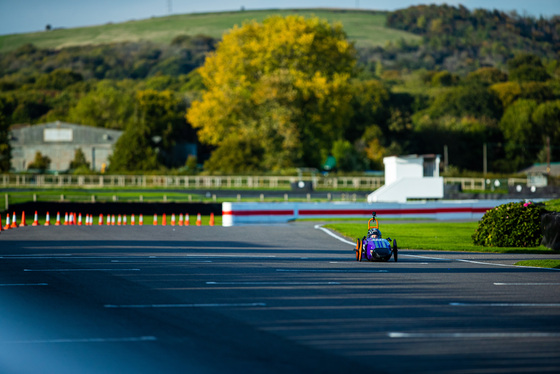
366	28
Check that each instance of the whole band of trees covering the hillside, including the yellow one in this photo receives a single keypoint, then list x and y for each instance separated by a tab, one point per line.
291	91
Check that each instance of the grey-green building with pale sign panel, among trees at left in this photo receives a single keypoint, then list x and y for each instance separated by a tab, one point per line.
59	141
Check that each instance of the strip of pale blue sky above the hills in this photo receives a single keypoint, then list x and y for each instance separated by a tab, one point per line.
22	16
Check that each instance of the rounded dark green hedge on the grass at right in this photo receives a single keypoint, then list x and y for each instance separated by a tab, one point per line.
511	225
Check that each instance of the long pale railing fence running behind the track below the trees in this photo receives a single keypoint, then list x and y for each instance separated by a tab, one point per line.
225	182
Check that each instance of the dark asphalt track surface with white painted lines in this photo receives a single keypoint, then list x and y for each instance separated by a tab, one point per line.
264	299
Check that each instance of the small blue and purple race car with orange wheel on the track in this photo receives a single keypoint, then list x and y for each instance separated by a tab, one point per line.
373	247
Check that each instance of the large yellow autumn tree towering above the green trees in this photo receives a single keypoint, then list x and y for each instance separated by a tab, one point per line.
279	90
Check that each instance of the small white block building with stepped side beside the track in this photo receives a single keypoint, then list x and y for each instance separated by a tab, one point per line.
412	177
